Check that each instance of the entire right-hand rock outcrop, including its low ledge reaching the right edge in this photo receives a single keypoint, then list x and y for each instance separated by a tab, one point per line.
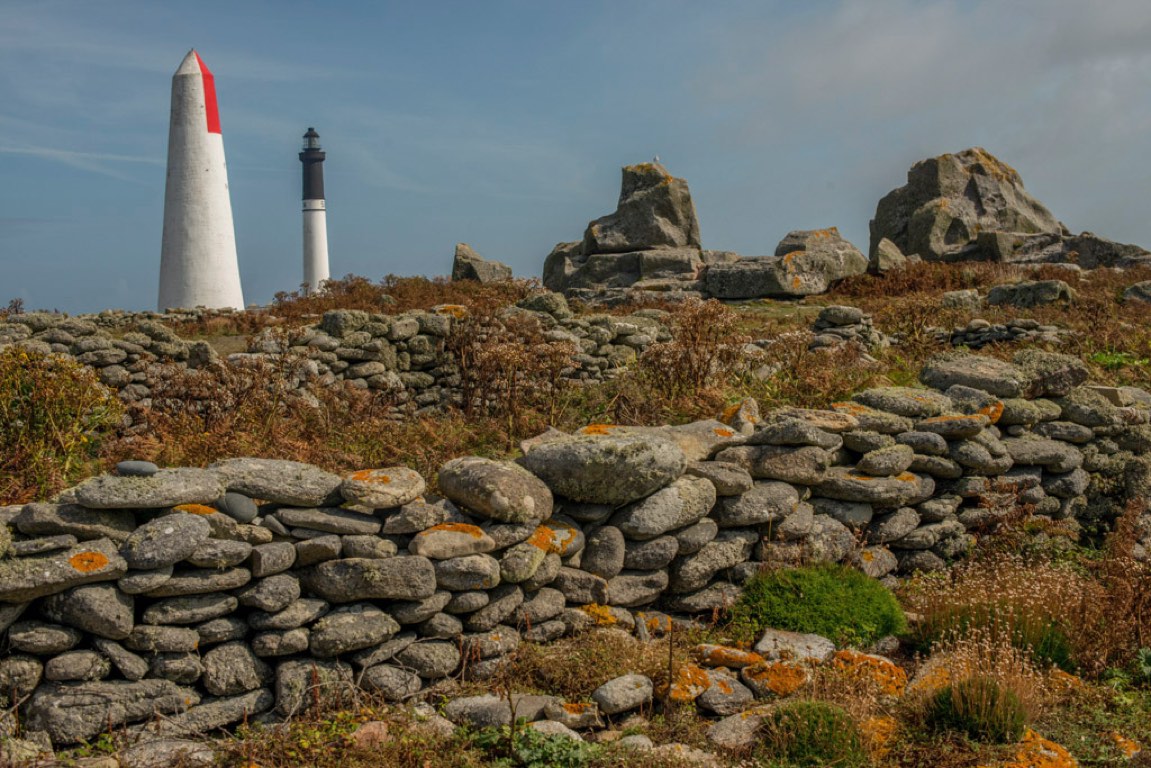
972	207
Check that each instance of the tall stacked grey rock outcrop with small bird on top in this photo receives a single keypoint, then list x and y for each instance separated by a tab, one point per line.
653	235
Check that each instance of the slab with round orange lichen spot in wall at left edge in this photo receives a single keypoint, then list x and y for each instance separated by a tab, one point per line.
27	579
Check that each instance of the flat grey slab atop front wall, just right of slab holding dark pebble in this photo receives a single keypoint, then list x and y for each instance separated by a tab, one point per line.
281	482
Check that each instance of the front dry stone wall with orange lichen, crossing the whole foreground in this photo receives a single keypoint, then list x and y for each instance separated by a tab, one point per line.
212	596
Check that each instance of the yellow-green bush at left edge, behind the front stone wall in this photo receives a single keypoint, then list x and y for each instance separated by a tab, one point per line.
55	417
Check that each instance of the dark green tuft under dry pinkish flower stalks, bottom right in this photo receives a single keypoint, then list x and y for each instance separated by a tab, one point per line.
980	708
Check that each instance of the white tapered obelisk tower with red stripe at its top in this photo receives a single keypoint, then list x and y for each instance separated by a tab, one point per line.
199	265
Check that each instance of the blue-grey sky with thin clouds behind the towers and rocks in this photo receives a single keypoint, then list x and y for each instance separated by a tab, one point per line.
505	124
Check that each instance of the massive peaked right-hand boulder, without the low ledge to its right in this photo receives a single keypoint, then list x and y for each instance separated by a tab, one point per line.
950	200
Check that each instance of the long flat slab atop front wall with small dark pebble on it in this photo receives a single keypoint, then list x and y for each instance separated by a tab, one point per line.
165	489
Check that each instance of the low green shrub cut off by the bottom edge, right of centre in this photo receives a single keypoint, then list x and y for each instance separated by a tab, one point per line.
812	733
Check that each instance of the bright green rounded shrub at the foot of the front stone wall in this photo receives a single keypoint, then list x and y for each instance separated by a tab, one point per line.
832	600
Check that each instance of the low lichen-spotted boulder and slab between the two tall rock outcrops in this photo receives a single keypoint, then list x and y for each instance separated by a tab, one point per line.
805	263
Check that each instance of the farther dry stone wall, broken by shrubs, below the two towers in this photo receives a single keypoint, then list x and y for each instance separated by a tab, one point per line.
405	355
